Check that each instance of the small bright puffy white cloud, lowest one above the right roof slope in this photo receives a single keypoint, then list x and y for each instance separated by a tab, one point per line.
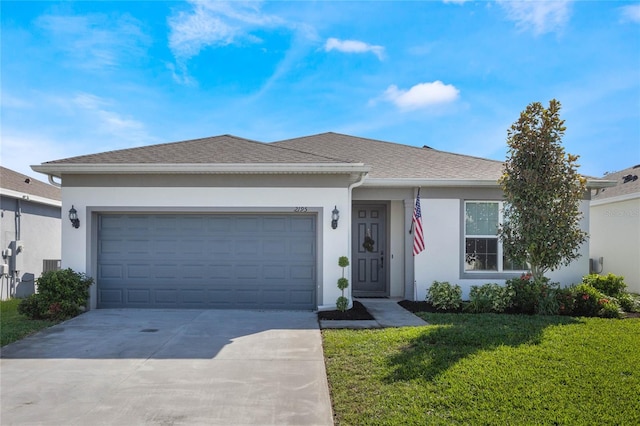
421	95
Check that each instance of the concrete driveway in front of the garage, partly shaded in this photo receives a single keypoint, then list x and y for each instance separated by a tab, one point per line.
166	367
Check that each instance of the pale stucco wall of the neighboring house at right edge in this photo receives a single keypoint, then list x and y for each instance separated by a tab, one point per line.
615	236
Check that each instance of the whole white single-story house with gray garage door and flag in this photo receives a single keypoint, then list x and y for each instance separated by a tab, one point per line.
229	222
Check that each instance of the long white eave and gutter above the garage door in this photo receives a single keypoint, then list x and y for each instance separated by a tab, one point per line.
58	170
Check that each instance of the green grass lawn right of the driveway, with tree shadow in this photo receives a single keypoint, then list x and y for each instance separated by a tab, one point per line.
487	369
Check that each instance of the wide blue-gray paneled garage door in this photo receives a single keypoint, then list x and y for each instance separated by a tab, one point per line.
265	261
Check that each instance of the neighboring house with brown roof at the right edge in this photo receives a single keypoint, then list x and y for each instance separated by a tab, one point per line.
615	227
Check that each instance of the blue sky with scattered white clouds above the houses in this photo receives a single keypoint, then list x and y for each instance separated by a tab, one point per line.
86	77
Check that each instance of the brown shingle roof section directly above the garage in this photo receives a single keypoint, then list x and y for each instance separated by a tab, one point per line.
225	149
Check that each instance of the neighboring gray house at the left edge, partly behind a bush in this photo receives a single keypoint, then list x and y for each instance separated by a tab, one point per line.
31	234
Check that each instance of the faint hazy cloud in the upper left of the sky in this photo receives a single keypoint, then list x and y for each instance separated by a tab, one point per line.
96	41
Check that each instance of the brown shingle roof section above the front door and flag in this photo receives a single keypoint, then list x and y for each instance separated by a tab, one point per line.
391	160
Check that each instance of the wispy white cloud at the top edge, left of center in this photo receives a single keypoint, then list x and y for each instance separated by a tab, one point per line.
215	23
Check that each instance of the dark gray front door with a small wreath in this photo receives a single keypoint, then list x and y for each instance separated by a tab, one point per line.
369	269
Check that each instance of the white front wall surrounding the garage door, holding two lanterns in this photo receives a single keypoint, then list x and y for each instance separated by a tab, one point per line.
78	244
